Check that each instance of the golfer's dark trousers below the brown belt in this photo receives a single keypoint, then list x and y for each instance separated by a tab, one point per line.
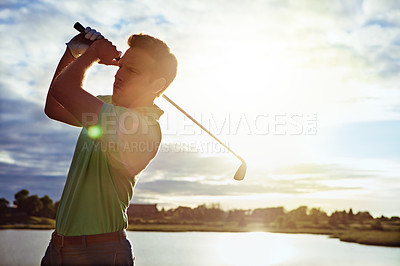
108	253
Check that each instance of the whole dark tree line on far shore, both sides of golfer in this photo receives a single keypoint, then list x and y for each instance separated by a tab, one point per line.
32	205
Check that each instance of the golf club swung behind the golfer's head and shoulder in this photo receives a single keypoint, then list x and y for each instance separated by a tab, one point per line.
240	173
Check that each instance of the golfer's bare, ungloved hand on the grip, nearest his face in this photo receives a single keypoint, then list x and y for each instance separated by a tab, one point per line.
105	51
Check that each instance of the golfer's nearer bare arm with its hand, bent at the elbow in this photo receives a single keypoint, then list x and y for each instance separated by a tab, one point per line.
67	87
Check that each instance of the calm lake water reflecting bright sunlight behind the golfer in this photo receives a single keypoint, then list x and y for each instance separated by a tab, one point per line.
26	247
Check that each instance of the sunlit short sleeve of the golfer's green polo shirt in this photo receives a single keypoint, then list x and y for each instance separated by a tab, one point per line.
129	139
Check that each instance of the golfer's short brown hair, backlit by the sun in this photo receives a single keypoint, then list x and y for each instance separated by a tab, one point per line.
166	63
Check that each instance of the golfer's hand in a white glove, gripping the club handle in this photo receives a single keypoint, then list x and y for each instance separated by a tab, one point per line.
80	43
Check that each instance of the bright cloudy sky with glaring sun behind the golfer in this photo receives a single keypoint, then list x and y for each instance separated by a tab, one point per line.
307	92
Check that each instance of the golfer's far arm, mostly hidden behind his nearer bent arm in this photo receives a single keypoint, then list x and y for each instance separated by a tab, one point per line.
54	109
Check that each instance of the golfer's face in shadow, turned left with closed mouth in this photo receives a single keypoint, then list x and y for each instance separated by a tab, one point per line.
133	79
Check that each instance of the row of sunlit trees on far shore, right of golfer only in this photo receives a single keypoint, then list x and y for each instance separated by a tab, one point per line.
276	216
